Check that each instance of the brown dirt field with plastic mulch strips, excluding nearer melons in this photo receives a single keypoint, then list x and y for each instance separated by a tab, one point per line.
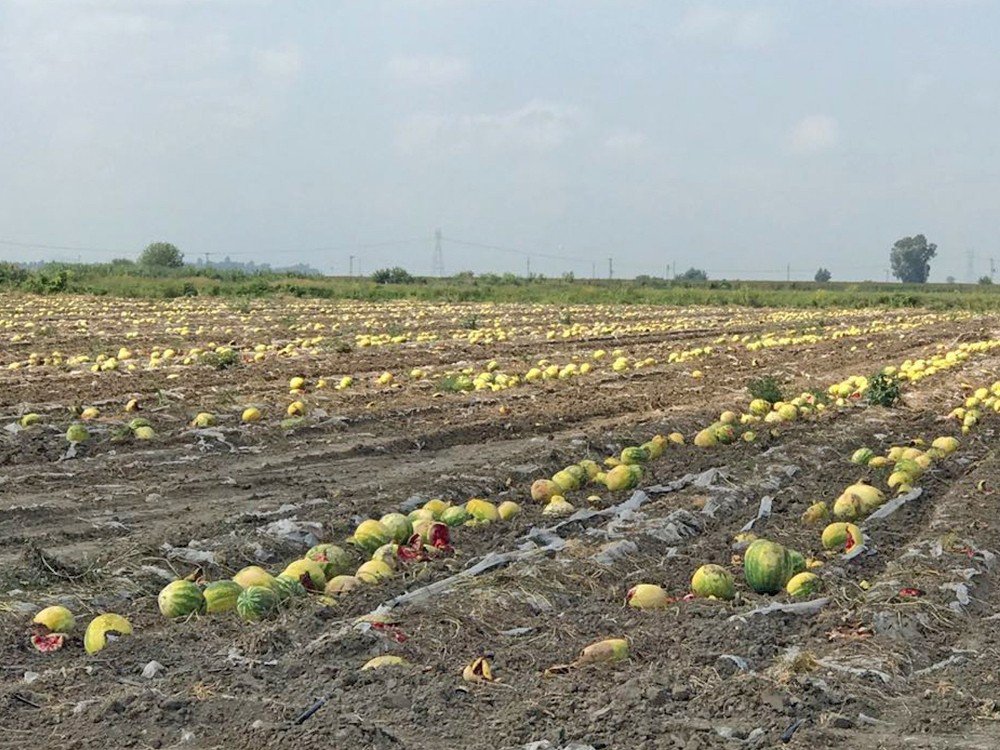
103	527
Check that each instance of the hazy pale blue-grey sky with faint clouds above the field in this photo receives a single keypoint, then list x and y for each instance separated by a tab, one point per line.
738	137
